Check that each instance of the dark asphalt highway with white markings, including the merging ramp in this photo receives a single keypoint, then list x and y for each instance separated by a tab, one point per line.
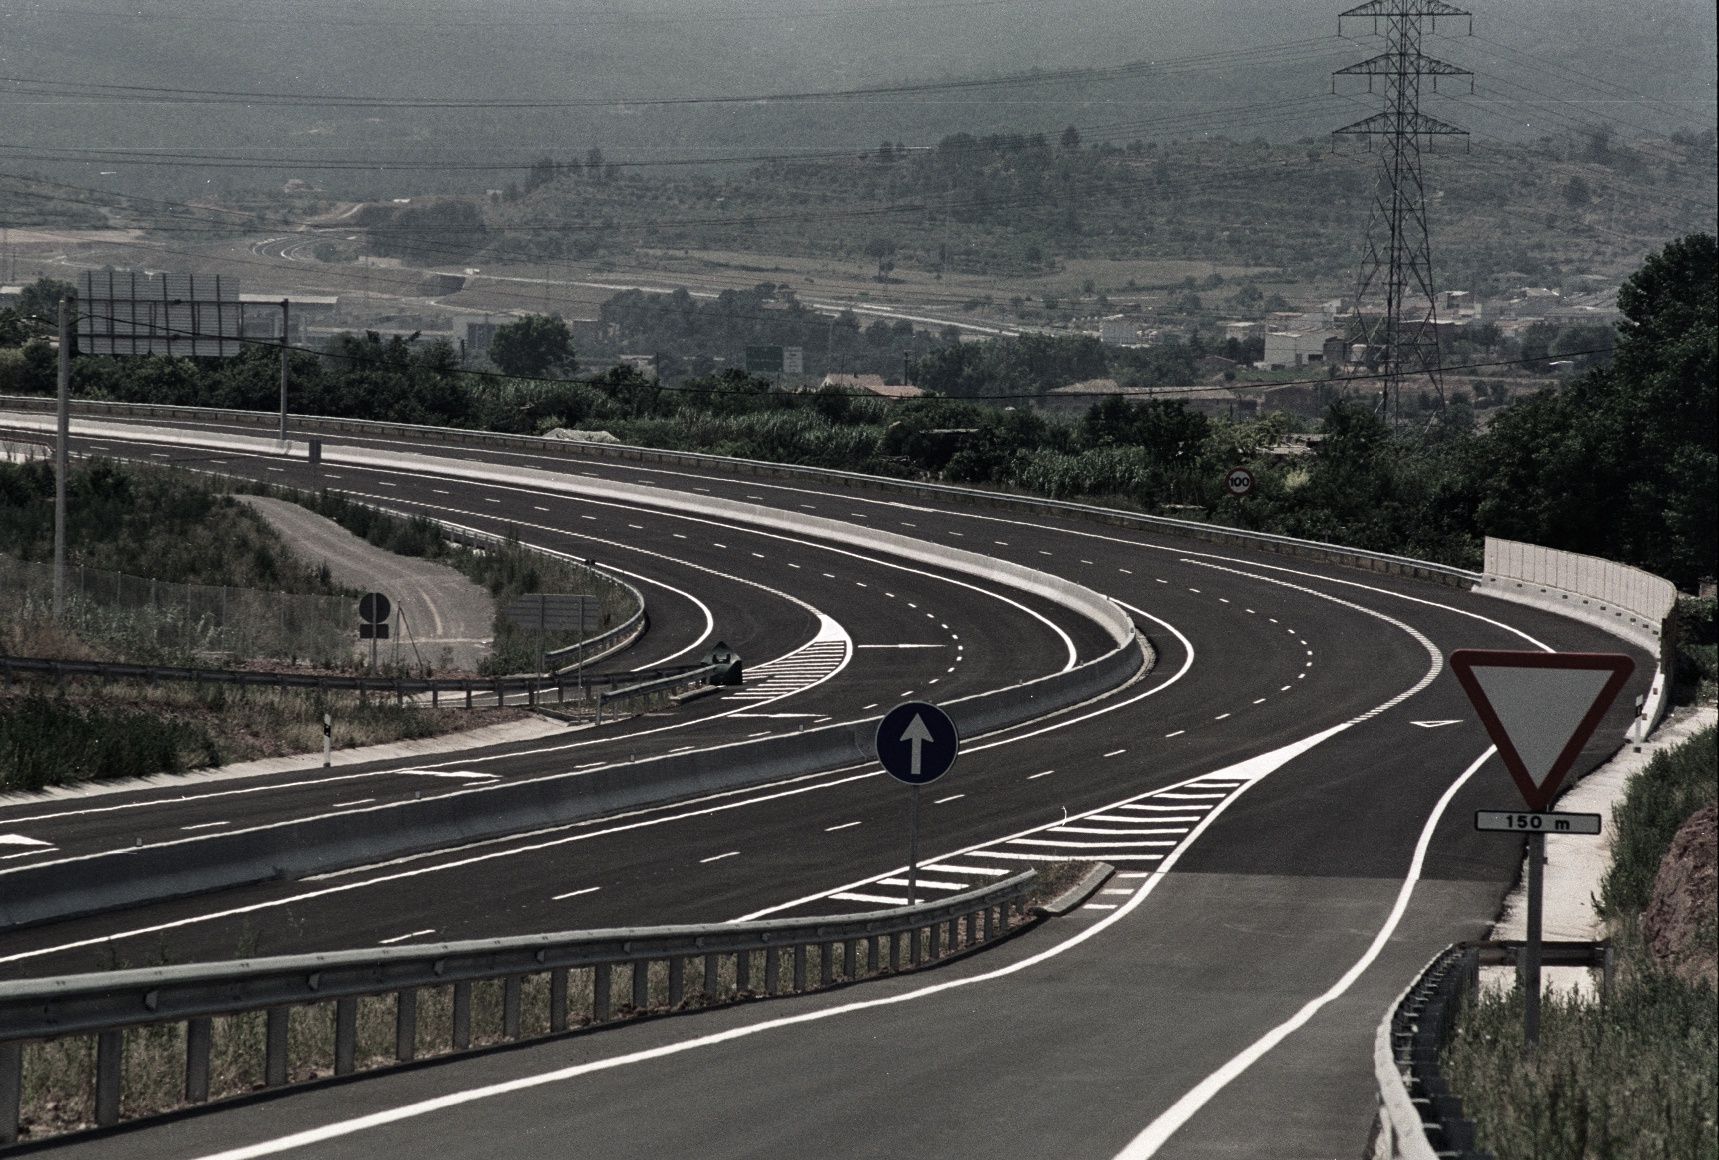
1288	798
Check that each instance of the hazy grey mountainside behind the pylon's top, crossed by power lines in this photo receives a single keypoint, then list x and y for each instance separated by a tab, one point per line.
1244	70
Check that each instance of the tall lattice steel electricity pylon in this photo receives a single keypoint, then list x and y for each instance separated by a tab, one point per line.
1402	341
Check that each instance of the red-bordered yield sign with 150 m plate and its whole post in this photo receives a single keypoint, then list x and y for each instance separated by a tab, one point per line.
1539	709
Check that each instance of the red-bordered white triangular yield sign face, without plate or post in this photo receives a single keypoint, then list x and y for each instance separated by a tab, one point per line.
1541	709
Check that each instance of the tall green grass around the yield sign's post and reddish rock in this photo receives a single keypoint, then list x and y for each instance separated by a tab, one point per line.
1632	1075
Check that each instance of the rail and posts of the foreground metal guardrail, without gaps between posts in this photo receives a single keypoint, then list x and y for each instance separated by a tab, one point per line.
113	1004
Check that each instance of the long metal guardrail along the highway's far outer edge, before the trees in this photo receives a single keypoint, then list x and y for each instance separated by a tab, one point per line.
1271	542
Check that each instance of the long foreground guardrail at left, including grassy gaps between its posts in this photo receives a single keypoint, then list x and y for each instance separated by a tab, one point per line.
185	1035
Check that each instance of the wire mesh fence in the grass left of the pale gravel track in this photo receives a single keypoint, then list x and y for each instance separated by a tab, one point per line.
149	621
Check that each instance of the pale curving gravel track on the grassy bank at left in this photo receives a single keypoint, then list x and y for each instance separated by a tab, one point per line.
446	614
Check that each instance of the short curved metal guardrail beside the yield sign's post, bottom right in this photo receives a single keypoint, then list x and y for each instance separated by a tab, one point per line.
1419	1114
